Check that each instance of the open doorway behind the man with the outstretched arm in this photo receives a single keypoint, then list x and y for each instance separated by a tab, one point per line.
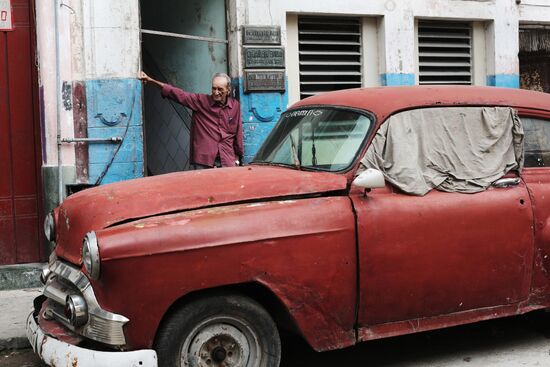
183	44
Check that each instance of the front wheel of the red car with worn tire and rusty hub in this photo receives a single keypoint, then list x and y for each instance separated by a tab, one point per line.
228	330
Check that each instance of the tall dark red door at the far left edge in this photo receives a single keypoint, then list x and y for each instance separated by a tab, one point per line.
20	240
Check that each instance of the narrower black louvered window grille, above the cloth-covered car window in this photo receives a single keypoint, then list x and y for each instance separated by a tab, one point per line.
445	52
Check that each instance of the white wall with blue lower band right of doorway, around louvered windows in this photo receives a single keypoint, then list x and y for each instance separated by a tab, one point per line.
495	43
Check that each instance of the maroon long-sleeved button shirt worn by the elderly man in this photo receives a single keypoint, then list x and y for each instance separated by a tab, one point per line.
215	129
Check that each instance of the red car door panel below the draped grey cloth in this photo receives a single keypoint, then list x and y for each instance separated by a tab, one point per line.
423	257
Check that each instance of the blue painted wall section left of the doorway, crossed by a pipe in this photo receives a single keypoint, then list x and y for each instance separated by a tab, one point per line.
114	110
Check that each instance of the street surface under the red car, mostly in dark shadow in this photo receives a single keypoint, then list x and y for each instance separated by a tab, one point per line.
517	341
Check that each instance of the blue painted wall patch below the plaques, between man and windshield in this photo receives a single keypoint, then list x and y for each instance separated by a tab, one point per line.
260	112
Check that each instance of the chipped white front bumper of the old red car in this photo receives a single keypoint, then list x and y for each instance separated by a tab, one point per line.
57	353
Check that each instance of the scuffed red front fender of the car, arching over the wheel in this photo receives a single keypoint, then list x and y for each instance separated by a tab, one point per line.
299	249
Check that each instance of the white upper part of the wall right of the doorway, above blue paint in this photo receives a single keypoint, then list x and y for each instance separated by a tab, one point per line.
495	27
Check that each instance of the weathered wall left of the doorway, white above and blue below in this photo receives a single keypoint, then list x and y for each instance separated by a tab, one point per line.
92	43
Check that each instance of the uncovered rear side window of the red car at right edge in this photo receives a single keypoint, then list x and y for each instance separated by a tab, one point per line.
536	142
